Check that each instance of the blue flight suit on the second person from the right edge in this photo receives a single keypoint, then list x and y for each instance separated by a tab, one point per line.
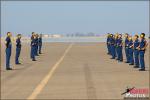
136	53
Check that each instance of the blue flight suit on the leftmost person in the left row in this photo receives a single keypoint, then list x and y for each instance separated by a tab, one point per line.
8	52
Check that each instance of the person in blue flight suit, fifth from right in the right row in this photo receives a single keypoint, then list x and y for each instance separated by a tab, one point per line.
119	48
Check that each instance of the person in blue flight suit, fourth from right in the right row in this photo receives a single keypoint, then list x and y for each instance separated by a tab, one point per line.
127	47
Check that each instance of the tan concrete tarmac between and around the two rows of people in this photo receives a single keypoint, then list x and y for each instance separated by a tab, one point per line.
69	71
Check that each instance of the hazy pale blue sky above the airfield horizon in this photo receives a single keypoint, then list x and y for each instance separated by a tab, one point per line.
74	16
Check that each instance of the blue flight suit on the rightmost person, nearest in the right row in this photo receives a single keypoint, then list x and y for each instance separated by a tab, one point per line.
142	52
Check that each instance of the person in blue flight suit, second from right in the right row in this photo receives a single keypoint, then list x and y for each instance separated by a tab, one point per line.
136	51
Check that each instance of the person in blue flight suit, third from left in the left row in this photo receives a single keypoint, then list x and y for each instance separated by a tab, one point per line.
33	47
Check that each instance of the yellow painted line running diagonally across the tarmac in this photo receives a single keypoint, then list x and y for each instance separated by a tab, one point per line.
42	84
